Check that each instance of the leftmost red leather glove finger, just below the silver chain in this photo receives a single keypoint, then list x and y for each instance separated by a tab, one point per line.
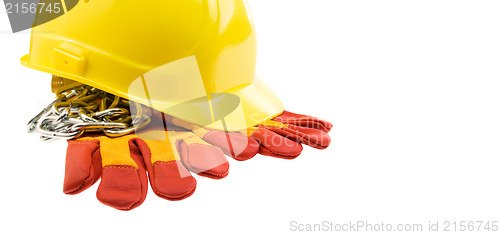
83	165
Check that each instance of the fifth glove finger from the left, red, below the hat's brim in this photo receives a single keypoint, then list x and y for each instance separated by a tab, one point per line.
236	145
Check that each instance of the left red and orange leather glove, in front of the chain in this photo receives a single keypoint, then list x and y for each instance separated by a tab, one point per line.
122	162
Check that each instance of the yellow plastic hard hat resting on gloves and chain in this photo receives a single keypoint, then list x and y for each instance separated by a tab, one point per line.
193	59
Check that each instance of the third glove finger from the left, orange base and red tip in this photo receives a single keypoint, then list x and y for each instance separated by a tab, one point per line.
168	177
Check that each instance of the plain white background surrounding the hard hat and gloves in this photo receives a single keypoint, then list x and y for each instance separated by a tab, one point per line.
412	88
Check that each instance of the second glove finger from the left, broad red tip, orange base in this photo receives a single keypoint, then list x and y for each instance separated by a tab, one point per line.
124	180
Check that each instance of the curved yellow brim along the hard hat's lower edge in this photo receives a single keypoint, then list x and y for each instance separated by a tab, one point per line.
232	110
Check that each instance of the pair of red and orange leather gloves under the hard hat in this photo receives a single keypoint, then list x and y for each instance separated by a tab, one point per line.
169	157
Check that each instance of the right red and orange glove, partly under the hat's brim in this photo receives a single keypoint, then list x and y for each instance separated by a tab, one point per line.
280	137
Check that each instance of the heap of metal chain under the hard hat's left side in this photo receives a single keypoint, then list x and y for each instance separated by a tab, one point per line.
80	108
